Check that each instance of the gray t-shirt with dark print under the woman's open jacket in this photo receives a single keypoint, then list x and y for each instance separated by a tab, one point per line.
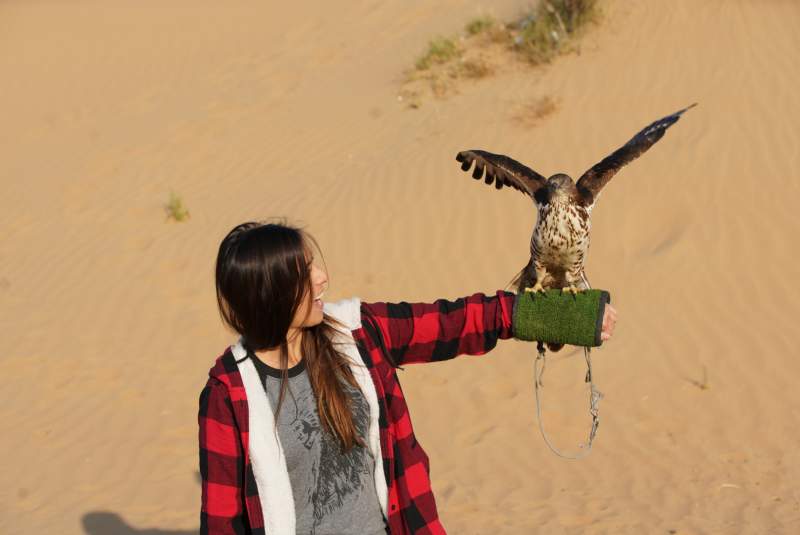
334	493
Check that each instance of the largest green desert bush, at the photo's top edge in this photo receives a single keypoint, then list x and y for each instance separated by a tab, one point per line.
546	31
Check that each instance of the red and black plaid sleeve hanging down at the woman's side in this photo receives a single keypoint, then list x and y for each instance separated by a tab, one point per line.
221	464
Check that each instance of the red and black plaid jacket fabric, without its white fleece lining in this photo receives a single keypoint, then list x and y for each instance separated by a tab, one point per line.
391	335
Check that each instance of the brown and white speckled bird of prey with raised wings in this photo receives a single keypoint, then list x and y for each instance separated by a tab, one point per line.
560	238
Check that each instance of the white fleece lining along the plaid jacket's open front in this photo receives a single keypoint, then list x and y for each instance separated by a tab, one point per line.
266	453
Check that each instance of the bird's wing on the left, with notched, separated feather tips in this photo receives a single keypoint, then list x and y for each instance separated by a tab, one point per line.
501	170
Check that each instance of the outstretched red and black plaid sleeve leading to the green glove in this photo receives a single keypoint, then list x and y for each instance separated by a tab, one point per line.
430	332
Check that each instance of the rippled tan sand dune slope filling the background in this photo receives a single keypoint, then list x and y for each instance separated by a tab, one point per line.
108	316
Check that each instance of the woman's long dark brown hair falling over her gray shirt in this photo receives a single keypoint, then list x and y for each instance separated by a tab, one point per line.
262	277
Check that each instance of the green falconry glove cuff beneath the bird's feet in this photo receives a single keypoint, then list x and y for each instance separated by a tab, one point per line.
560	317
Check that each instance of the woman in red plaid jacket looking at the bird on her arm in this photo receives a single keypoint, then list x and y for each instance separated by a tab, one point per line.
303	424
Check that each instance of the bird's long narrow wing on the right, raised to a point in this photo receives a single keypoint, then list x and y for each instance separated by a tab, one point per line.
593	180
